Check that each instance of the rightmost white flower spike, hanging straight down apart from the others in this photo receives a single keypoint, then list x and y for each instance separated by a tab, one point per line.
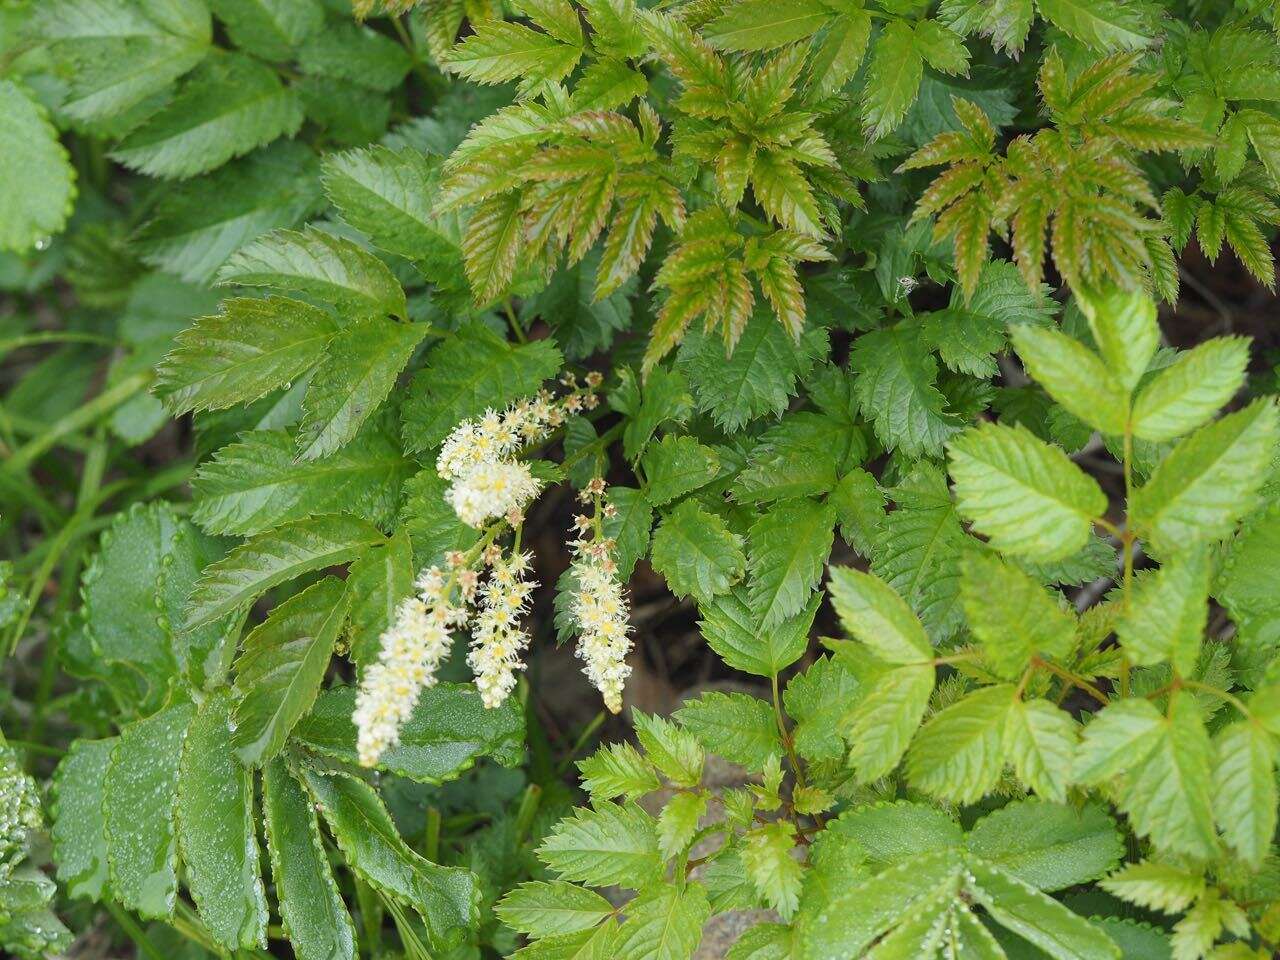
598	606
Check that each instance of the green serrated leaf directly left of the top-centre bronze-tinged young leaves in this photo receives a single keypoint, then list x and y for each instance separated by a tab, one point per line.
390	196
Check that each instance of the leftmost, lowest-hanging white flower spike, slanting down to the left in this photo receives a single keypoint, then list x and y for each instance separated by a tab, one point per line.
413	648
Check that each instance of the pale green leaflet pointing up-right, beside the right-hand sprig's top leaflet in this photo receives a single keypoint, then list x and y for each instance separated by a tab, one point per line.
1192	390
